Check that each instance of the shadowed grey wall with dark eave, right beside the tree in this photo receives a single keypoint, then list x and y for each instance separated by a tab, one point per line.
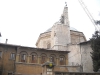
86	57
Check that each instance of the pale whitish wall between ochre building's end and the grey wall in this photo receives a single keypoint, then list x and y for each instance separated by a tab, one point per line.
74	56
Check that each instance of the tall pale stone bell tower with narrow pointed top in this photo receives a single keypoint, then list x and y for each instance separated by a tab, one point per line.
60	33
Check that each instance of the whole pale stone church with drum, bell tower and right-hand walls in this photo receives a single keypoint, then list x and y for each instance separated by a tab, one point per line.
62	37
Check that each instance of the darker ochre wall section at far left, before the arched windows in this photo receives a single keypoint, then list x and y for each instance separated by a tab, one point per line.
7	65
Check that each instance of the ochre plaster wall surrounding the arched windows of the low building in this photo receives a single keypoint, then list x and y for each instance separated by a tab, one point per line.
10	66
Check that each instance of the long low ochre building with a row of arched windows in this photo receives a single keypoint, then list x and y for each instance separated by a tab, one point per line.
20	60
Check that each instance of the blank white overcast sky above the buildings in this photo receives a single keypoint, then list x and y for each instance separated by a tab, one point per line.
22	21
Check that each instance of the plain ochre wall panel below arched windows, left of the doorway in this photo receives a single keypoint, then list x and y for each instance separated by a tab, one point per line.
28	69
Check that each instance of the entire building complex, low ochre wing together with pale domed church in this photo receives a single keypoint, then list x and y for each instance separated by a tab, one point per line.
59	49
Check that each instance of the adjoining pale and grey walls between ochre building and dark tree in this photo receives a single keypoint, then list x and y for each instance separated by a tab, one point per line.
80	55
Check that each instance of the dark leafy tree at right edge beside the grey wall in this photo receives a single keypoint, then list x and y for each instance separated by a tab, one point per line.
95	54
